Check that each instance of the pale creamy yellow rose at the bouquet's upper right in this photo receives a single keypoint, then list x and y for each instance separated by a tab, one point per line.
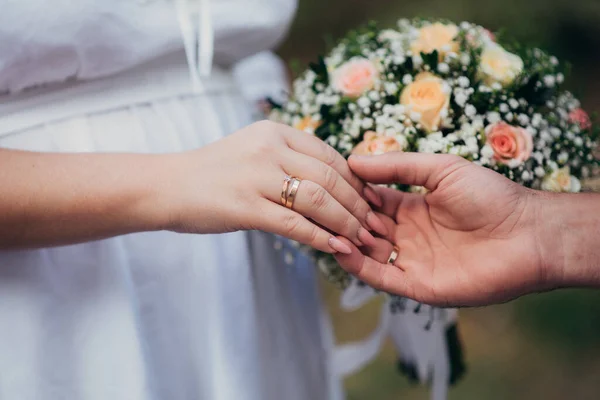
498	65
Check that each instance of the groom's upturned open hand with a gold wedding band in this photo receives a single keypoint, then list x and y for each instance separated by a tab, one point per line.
470	241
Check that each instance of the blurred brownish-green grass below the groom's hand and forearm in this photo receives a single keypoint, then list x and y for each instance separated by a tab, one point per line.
544	346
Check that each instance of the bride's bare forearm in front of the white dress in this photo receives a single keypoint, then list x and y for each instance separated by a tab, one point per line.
56	199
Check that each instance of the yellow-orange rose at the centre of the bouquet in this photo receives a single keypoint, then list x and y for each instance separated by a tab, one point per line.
429	97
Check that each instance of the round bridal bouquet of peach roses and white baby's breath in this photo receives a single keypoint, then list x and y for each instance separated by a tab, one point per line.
437	87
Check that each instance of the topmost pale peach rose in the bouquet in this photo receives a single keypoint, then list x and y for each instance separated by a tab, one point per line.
438	36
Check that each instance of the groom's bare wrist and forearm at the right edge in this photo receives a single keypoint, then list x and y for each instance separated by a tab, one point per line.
568	227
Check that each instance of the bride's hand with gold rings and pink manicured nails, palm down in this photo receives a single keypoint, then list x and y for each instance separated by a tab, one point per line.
236	183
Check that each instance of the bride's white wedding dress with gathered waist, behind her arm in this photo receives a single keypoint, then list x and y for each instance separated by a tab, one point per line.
159	316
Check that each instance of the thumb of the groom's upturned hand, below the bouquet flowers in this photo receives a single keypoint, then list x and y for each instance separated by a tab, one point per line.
418	169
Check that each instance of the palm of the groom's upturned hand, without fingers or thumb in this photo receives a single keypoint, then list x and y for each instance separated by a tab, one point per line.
459	240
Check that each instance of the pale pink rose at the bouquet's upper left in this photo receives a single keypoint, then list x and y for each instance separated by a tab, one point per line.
355	77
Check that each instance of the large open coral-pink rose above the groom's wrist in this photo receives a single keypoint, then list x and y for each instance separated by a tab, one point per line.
509	142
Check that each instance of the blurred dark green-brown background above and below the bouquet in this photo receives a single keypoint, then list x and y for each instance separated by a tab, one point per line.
544	346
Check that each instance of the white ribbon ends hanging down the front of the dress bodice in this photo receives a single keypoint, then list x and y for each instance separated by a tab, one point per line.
195	22
